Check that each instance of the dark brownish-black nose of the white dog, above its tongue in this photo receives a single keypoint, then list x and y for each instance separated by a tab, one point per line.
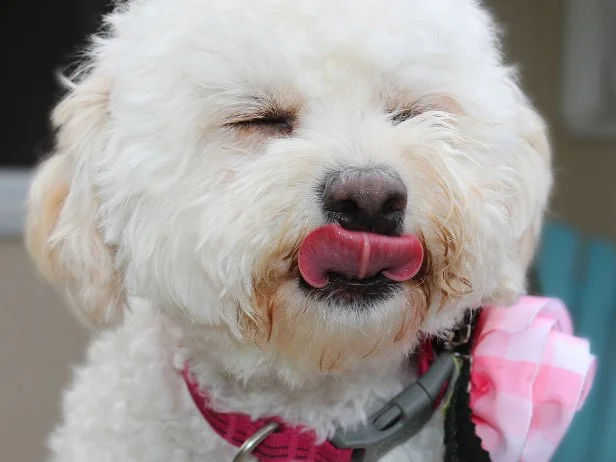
366	200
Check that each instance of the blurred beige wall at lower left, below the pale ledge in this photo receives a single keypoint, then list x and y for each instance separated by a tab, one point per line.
39	340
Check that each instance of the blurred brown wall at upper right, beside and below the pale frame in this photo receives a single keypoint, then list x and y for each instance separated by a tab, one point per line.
586	191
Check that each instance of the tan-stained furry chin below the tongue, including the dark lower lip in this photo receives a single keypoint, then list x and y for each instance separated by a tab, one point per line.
342	326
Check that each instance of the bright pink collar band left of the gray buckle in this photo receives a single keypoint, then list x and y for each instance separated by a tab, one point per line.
286	444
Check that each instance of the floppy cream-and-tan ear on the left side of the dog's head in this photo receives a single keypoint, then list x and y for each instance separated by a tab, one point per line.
62	233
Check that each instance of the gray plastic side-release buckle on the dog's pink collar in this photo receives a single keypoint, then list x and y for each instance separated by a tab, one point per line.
401	418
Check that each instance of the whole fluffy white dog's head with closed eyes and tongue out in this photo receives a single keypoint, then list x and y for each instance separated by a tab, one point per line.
325	179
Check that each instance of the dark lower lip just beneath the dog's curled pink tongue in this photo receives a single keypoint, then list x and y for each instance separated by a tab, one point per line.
356	294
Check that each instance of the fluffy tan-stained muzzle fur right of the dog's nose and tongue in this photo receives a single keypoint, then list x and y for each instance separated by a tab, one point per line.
448	215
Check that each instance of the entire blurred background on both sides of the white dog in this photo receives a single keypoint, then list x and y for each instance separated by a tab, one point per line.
566	50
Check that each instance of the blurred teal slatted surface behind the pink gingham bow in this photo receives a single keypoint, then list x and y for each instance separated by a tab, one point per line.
581	271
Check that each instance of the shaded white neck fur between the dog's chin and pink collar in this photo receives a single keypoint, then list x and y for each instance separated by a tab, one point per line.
246	379
